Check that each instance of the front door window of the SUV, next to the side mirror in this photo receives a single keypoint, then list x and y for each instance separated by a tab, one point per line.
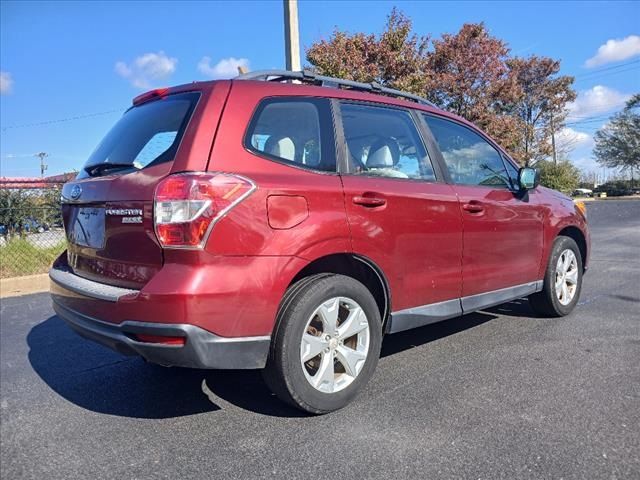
470	159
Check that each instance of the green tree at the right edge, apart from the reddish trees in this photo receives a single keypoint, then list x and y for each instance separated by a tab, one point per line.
618	142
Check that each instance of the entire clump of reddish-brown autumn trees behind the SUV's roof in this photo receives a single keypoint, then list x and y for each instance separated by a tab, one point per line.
517	101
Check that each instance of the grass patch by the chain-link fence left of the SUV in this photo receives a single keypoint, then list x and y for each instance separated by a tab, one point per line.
19	257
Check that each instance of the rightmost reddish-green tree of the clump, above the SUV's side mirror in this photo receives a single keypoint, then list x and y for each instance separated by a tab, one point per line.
540	106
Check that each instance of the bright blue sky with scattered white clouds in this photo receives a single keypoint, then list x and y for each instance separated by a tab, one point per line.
64	60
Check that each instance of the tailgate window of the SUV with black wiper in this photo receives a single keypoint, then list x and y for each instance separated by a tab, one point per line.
146	135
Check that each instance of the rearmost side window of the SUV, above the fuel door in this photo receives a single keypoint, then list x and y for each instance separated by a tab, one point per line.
297	131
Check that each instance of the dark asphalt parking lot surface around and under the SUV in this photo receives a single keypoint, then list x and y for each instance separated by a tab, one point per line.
497	394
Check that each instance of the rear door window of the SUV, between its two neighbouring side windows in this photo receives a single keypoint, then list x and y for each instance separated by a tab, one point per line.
384	142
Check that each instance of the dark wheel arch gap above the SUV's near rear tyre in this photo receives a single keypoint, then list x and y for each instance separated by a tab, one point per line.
359	268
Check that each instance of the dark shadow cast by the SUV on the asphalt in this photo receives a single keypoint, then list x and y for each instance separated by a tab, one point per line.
93	377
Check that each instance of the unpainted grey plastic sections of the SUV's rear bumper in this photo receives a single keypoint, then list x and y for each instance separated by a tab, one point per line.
202	349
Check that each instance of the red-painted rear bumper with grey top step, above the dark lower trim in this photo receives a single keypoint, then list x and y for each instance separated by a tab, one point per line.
231	297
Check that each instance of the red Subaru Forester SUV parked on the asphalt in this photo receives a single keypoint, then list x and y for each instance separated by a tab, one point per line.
287	221
